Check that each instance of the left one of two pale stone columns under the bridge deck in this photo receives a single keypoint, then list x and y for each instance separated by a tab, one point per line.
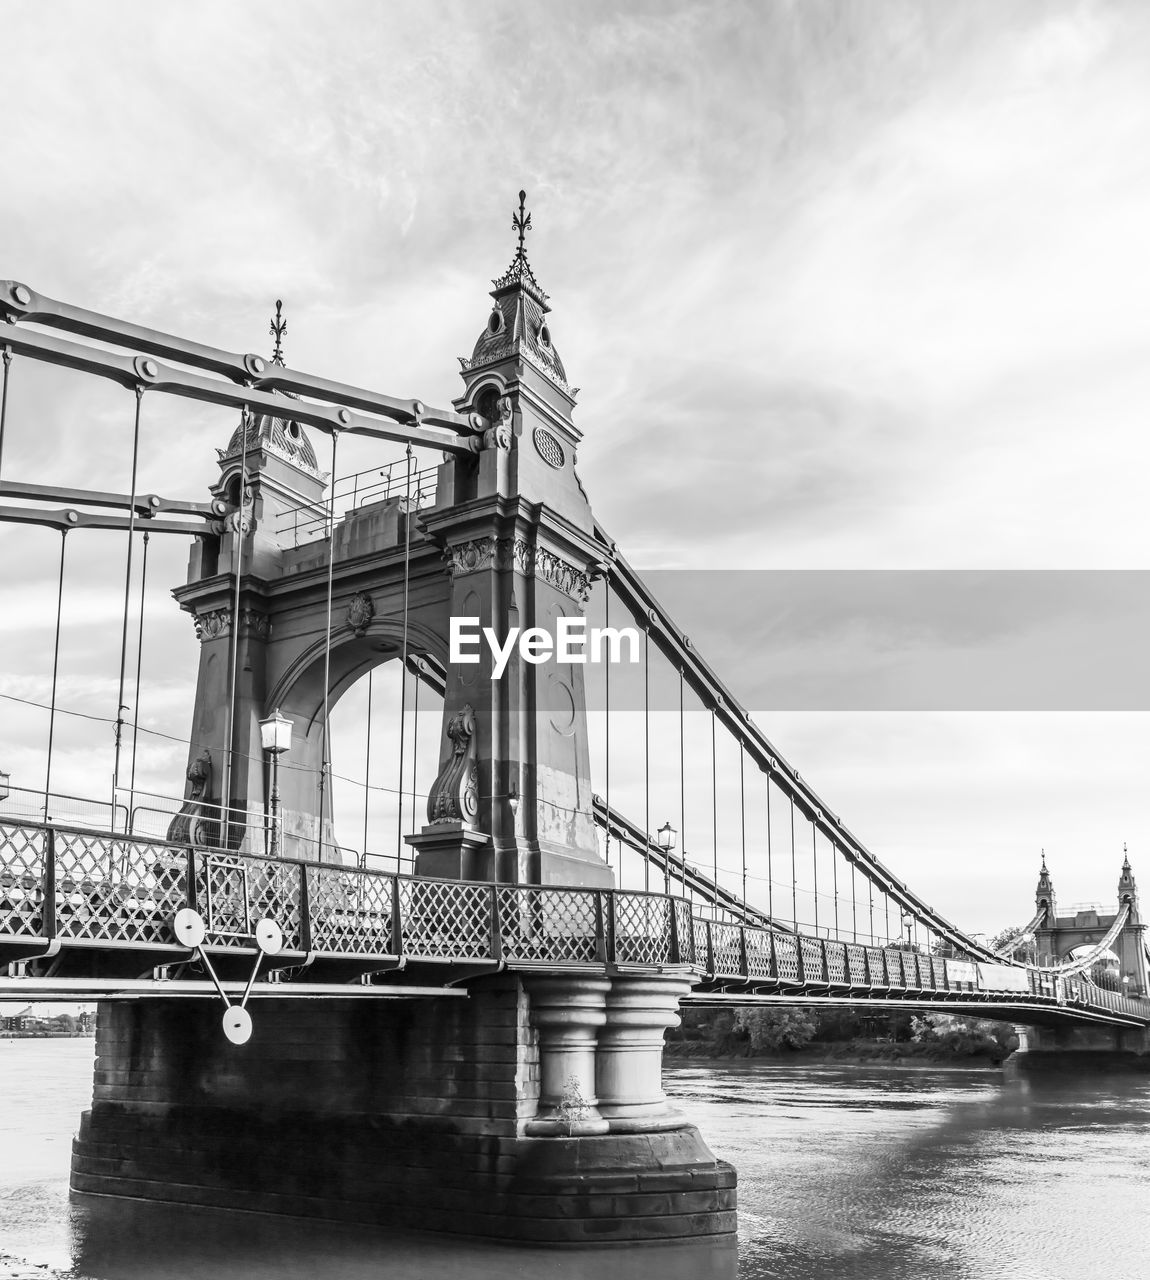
568	1012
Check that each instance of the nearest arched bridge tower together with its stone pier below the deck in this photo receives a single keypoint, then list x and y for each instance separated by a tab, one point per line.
531	1105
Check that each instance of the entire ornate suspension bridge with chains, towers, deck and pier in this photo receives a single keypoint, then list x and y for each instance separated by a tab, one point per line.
483	993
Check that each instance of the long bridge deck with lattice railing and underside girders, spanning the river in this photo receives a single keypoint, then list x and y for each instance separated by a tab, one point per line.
89	915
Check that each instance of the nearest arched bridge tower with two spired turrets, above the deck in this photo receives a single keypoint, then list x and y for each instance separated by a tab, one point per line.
509	545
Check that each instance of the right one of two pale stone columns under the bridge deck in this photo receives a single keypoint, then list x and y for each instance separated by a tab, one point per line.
629	1064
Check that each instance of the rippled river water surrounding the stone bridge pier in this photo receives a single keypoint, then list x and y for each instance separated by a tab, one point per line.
845	1172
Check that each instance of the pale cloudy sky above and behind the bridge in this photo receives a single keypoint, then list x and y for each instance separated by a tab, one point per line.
851	290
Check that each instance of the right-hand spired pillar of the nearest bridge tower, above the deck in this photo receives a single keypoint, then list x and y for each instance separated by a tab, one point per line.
518	534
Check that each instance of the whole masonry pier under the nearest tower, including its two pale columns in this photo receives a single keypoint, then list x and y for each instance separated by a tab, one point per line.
489	1116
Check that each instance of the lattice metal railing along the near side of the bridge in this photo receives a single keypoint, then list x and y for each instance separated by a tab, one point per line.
61	885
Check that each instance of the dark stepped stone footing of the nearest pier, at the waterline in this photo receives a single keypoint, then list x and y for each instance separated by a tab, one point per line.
367	1171
